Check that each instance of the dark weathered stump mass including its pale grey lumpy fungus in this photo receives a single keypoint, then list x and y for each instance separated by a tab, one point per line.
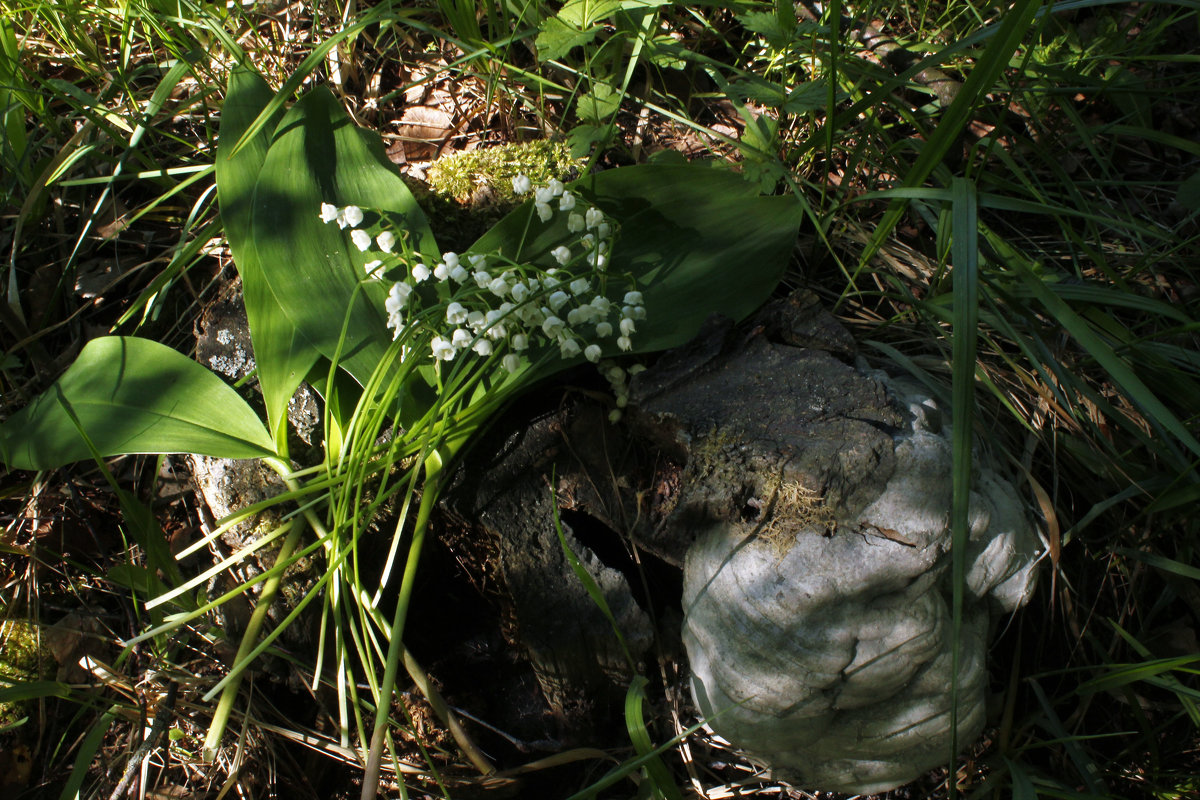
807	501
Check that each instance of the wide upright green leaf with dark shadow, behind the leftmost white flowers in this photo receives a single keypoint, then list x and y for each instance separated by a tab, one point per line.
313	269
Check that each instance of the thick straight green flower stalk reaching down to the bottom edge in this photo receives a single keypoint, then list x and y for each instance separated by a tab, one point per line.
395	646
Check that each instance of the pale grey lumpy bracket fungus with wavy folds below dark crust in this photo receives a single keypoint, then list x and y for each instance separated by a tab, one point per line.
830	658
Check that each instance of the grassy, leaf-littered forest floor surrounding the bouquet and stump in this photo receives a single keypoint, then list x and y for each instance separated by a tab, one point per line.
1082	141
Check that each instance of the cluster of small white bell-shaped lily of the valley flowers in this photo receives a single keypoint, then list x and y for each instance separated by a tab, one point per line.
491	305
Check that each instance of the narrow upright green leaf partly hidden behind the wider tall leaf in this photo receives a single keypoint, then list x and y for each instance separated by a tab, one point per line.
281	352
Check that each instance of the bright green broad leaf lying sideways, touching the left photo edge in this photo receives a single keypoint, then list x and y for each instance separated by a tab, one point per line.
133	396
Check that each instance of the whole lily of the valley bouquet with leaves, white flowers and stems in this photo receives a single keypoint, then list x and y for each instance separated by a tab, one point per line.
413	351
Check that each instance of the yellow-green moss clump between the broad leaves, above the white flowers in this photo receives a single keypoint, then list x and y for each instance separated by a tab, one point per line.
470	193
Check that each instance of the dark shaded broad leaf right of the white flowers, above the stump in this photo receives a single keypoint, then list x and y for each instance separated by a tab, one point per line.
700	242
